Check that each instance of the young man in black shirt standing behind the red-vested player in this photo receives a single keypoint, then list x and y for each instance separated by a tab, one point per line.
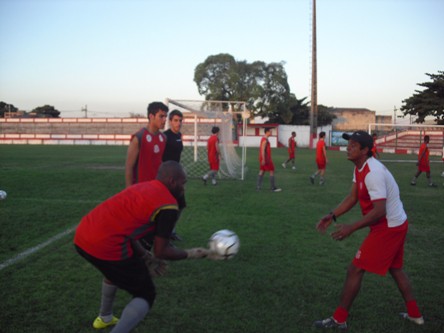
173	150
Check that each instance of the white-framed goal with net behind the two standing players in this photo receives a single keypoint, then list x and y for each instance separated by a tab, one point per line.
199	119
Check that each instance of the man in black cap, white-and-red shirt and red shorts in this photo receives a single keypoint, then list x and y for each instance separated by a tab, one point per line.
383	248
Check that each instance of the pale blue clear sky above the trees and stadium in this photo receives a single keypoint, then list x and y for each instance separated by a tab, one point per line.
116	56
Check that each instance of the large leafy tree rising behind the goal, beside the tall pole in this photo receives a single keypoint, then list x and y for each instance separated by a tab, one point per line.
263	86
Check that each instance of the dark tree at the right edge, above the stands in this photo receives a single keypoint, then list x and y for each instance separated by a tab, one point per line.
428	102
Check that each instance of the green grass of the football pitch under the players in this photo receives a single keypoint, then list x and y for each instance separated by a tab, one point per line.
285	276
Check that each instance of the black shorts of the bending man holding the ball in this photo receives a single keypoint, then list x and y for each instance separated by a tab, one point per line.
130	274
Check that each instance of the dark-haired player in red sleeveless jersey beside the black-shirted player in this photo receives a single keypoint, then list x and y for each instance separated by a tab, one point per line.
146	147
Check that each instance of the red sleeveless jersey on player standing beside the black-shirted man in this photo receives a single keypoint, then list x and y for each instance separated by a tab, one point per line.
151	148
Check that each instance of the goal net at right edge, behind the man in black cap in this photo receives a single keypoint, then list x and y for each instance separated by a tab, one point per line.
407	138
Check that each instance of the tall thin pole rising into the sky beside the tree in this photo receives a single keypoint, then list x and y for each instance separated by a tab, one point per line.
314	82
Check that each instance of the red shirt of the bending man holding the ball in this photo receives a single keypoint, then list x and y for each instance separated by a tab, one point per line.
107	231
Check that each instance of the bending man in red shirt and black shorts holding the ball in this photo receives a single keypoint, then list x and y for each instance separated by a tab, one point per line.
108	237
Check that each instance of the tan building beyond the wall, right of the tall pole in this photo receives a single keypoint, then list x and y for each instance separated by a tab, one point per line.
353	119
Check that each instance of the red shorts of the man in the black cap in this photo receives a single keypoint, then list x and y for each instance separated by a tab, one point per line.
382	249
